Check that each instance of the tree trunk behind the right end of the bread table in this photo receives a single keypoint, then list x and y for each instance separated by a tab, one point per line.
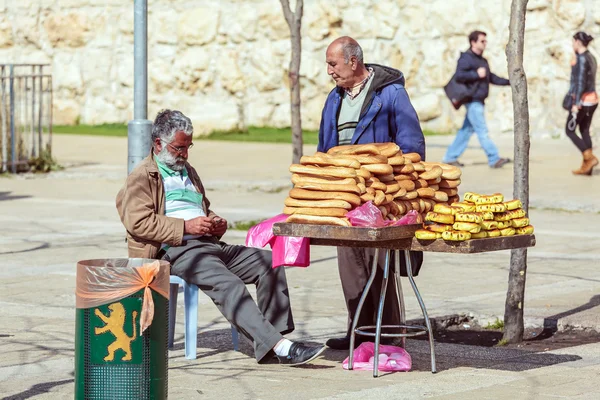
515	297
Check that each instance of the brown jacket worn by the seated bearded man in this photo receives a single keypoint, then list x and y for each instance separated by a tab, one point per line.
141	206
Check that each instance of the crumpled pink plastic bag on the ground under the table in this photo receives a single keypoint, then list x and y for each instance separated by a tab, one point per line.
391	358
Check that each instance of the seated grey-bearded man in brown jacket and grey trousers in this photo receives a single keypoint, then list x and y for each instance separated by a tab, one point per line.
164	208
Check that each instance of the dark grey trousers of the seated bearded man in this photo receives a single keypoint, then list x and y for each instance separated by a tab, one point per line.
222	271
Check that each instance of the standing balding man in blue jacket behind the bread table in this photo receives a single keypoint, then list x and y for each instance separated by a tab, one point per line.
368	105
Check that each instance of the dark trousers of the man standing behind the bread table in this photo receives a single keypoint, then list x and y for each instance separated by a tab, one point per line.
355	268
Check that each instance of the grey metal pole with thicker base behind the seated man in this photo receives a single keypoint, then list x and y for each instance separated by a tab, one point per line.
139	129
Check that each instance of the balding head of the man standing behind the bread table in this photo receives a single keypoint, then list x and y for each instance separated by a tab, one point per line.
345	64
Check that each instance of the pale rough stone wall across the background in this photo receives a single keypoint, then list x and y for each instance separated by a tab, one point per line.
224	62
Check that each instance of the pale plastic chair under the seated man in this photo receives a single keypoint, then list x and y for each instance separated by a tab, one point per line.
190	300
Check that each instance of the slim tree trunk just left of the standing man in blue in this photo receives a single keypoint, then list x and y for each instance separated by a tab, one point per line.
294	21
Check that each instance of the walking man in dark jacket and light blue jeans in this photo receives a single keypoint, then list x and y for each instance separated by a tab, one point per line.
474	71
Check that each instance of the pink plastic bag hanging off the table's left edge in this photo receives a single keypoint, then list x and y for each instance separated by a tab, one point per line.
287	250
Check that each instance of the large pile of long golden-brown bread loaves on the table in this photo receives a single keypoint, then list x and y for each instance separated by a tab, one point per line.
328	185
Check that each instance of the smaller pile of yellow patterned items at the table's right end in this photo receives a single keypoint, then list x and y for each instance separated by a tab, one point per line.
477	217
